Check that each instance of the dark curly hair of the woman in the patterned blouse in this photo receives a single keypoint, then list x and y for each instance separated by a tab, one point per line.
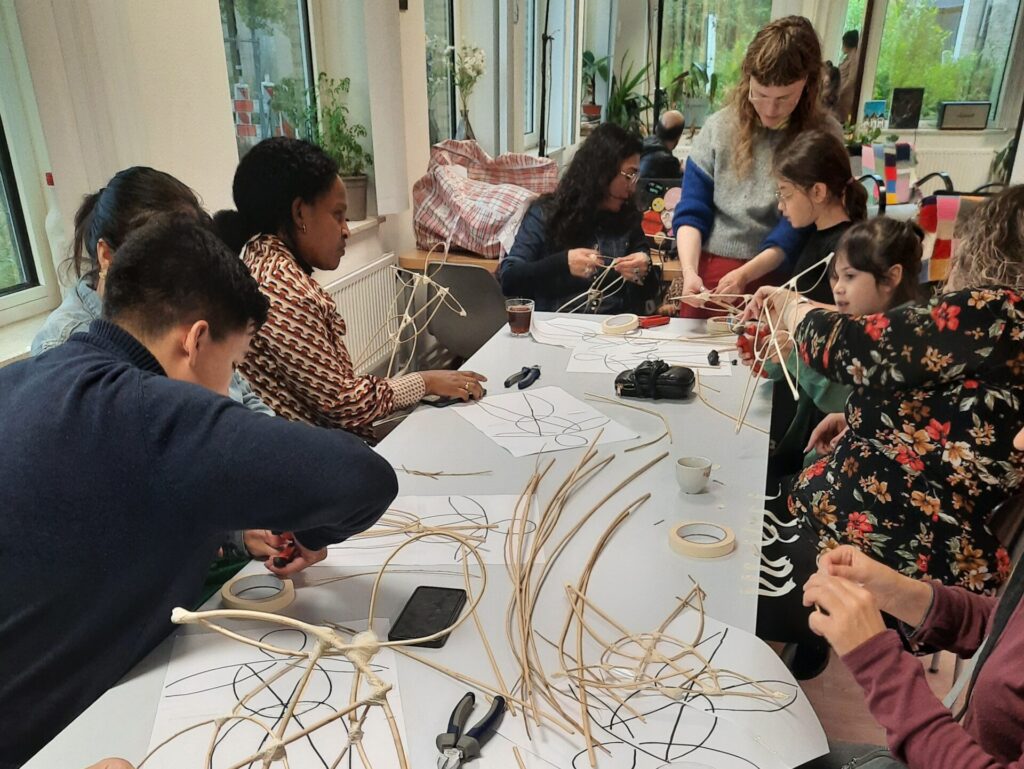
267	183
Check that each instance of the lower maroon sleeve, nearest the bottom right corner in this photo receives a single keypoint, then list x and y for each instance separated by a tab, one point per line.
921	733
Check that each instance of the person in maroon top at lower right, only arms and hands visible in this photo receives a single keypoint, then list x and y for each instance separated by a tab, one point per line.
852	590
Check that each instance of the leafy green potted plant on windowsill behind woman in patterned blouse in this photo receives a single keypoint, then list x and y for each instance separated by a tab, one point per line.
333	133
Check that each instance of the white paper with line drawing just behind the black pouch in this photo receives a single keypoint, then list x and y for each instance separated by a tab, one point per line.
603	355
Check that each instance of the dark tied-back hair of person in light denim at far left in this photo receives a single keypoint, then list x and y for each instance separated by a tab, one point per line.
132	197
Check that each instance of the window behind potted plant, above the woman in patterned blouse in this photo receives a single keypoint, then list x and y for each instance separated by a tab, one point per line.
270	68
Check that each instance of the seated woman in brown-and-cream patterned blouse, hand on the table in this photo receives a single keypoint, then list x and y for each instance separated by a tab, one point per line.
290	222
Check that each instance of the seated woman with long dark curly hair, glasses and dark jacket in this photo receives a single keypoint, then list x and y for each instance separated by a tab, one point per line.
586	236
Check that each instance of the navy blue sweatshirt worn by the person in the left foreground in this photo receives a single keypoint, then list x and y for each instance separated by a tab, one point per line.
116	487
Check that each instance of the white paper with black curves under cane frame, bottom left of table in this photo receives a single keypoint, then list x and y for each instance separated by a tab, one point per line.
209	674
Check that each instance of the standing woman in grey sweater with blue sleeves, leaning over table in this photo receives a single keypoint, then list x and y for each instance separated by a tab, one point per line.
729	230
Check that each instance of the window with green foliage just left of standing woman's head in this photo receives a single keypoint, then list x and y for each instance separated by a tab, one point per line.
713	34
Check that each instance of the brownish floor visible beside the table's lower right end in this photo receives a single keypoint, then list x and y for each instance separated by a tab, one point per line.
840	703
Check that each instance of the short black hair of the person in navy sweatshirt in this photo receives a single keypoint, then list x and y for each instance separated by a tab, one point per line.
175	271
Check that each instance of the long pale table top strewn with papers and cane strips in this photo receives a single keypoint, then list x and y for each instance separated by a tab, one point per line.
637	578
